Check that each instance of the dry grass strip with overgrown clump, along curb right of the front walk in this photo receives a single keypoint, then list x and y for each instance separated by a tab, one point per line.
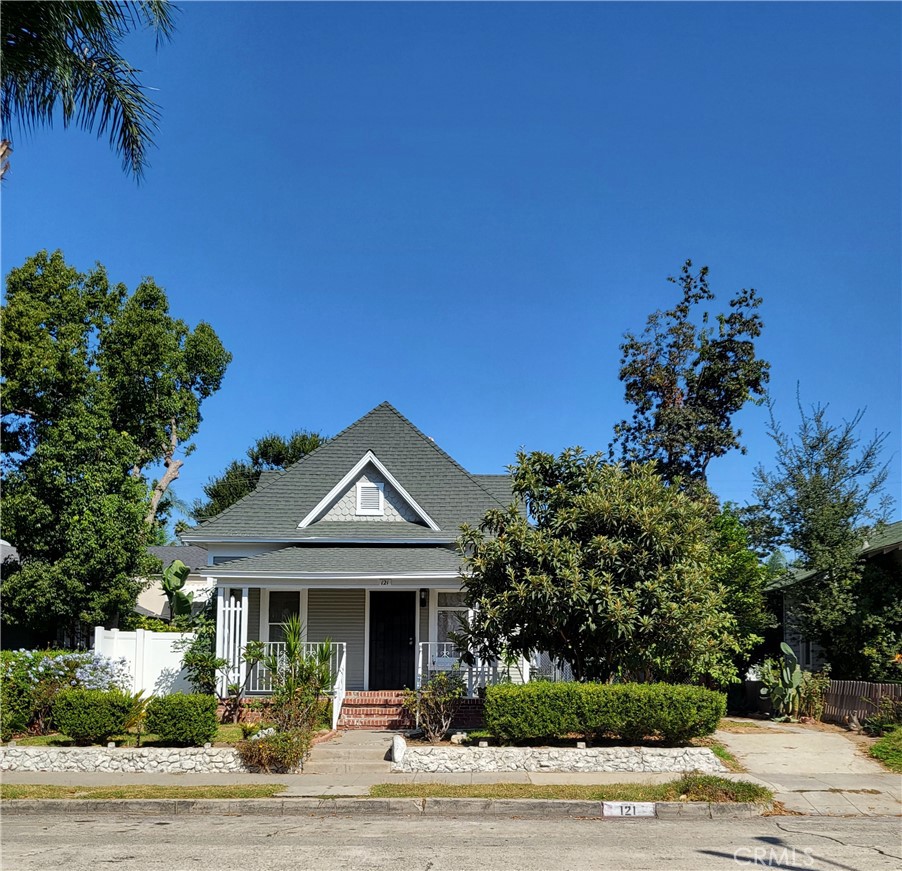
692	787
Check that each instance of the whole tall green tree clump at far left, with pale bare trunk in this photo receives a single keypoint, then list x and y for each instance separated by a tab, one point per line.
98	386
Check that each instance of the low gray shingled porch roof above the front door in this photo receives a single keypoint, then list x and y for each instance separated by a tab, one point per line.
345	559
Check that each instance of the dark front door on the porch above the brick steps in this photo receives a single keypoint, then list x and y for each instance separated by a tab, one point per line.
392	639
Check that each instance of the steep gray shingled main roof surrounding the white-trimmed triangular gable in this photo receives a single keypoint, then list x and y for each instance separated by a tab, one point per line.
446	491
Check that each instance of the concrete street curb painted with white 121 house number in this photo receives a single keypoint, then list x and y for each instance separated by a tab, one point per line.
438	807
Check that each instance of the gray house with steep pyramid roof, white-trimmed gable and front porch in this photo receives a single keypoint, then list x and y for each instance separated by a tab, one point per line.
357	539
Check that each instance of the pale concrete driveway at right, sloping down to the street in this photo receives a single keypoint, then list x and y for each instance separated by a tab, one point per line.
814	772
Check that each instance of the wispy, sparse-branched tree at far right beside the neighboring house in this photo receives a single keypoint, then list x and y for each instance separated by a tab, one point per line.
821	501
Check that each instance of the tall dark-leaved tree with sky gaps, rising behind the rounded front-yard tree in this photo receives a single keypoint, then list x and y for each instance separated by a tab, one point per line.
686	377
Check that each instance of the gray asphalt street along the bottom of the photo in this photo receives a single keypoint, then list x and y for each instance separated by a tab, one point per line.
261	843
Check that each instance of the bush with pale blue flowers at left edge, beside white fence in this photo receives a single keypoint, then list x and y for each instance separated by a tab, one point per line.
31	679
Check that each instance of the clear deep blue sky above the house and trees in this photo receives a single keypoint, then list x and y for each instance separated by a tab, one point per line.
461	208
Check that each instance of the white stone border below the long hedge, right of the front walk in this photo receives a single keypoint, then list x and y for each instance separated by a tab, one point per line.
441	760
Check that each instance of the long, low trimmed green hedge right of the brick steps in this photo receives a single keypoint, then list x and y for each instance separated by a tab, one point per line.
631	711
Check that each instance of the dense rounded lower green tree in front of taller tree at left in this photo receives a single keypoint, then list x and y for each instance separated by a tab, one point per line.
77	520
